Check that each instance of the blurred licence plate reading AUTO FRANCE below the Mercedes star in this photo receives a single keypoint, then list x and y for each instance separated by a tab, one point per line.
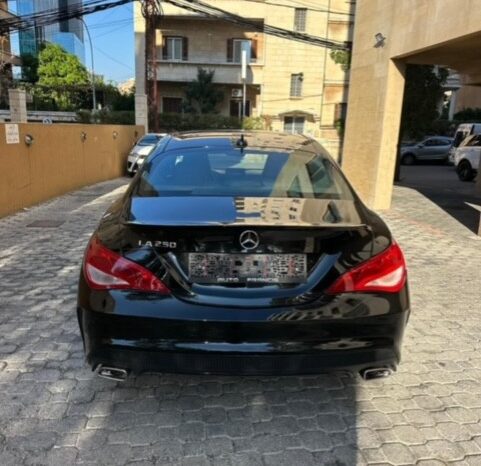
247	268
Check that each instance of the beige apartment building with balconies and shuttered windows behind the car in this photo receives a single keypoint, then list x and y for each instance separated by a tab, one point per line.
295	87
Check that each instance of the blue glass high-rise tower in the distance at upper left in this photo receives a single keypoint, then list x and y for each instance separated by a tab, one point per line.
68	34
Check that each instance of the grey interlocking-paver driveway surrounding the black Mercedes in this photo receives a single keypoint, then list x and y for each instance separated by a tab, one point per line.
54	411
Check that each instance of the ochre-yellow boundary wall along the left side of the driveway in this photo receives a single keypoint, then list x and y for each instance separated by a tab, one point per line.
59	160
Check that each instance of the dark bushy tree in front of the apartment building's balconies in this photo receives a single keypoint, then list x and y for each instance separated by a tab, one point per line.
202	95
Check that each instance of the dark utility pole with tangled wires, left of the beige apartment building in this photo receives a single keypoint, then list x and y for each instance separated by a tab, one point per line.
151	11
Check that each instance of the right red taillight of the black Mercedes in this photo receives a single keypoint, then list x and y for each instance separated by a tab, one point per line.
385	273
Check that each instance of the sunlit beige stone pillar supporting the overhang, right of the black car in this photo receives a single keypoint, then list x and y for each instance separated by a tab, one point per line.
372	131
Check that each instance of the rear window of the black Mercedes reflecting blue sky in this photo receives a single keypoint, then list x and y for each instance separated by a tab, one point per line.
247	173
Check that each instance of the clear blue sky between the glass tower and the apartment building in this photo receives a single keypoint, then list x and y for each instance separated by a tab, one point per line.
112	34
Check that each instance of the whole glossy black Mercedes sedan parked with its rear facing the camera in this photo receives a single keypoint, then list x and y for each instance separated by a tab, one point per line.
241	253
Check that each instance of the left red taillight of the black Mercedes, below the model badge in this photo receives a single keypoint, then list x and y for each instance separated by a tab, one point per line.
107	270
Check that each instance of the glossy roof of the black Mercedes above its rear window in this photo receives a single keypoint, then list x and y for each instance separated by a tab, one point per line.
267	140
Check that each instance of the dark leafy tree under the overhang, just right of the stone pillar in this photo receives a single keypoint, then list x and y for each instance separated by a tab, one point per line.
422	94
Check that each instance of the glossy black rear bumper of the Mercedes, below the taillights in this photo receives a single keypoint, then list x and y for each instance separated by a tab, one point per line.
164	341
